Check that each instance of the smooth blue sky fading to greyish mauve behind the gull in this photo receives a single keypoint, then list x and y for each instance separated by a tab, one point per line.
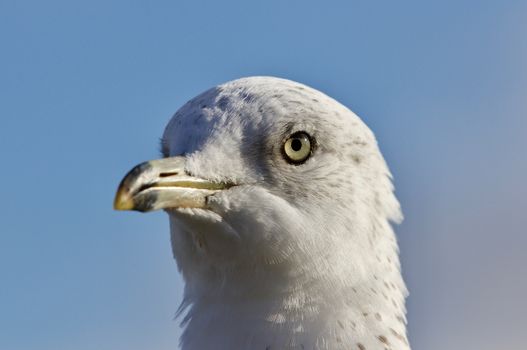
86	89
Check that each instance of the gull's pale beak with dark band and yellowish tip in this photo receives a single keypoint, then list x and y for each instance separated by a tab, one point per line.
163	184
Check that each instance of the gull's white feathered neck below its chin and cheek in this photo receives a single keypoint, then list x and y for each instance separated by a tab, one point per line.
348	294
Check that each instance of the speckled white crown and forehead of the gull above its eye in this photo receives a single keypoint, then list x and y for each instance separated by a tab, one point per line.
253	106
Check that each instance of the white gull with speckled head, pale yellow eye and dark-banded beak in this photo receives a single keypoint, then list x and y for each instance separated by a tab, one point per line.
281	209
